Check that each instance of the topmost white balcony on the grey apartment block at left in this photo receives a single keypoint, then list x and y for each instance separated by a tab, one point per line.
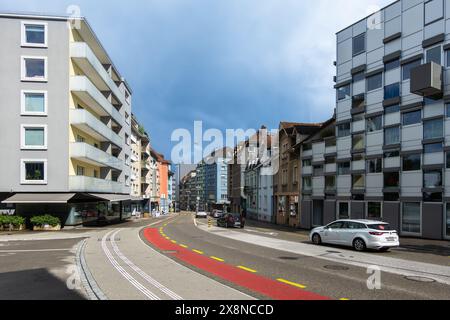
85	58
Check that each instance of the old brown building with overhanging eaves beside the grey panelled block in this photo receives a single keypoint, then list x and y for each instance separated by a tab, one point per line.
287	179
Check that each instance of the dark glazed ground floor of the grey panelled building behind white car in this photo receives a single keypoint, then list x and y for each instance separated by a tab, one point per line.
410	217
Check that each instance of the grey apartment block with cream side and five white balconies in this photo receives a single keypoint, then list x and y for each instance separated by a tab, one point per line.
66	121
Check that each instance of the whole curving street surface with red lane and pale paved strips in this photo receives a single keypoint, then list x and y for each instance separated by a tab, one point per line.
180	258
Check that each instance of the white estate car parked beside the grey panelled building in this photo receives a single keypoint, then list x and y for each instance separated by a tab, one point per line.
359	234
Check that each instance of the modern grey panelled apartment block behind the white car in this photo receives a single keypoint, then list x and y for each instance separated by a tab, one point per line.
392	122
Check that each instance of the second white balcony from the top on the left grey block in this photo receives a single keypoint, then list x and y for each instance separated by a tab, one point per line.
85	90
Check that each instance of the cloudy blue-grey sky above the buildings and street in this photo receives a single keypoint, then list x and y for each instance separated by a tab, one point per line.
231	63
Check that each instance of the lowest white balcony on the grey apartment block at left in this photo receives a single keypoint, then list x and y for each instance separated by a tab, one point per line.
94	185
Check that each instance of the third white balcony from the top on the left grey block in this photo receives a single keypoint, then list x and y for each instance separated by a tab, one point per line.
86	122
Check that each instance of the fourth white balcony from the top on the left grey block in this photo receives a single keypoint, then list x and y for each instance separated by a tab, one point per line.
90	154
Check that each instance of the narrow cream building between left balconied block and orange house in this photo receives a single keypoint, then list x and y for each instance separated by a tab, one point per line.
140	168
